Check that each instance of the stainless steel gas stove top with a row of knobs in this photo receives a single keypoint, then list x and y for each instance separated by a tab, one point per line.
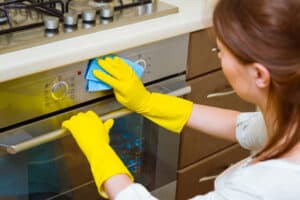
28	23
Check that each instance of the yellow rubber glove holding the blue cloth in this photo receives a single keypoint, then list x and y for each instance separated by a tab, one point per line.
168	111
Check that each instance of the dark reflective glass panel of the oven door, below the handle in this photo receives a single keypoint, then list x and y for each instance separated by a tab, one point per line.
58	170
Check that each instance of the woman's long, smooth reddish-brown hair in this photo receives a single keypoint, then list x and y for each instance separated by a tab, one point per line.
267	32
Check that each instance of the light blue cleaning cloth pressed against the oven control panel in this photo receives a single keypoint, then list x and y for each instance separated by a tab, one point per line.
93	84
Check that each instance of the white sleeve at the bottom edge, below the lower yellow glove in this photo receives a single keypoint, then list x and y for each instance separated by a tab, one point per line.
135	191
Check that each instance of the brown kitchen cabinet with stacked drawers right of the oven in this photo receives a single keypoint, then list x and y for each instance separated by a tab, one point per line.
201	155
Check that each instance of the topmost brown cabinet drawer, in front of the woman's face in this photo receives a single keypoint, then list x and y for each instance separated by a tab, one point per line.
201	59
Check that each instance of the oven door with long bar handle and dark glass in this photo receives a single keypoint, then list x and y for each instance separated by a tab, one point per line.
42	161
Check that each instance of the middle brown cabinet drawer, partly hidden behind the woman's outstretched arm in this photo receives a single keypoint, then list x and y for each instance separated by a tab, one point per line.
195	145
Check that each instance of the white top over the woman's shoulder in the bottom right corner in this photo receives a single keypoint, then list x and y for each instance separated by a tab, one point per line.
268	180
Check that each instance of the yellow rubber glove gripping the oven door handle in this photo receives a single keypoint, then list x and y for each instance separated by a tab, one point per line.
92	137
